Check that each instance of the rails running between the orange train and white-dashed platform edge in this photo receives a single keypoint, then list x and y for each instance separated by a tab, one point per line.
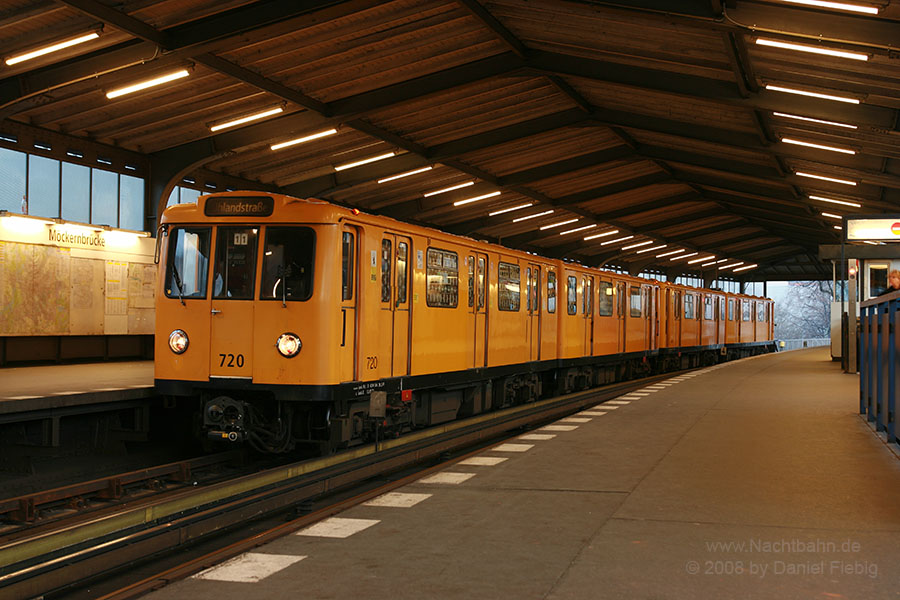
46	560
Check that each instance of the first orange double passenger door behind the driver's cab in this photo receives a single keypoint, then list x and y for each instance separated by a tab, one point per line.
395	251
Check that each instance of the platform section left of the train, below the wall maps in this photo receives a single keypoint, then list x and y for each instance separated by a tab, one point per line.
28	389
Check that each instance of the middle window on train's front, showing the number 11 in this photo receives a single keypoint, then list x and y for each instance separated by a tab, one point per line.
234	273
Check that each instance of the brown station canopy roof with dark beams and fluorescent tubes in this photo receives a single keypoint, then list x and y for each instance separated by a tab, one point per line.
629	133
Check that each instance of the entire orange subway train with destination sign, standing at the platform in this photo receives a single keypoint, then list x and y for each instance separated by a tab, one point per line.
290	322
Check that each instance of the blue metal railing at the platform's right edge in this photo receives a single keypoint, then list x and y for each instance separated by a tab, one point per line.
879	326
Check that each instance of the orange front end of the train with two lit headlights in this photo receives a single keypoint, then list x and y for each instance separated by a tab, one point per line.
246	313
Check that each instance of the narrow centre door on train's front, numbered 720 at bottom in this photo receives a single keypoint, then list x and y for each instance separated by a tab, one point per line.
231	308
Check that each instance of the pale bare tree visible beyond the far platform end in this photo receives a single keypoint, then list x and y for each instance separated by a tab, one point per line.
805	311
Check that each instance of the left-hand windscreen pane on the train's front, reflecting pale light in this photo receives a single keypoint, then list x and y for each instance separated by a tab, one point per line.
188	264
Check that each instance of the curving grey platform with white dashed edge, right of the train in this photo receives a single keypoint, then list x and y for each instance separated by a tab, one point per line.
752	479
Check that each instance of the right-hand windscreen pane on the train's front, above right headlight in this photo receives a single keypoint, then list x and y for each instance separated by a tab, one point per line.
288	263
